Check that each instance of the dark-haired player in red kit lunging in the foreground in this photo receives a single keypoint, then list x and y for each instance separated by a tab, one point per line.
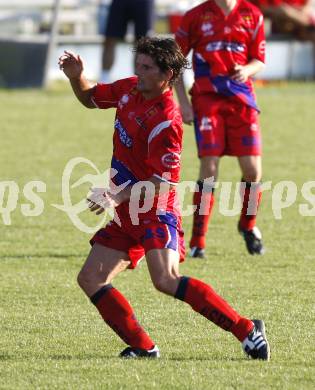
147	145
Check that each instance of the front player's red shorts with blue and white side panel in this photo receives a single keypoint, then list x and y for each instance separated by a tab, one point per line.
136	240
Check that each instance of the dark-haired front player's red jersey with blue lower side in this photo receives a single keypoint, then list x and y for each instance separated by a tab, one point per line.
147	138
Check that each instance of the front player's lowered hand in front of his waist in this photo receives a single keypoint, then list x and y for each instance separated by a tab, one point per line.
101	199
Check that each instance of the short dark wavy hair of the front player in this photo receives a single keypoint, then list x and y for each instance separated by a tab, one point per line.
165	53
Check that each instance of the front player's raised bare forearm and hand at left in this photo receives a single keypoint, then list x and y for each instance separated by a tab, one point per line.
72	66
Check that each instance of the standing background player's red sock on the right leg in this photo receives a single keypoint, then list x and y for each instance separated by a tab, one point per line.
251	200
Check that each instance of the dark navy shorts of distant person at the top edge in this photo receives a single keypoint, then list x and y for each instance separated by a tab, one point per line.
121	12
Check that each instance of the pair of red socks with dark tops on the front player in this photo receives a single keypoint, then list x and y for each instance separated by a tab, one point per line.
118	314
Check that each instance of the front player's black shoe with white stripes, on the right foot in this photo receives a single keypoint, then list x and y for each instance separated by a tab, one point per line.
256	345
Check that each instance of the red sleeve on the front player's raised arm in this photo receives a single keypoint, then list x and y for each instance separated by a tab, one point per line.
108	95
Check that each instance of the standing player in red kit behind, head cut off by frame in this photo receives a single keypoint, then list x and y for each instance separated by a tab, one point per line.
228	43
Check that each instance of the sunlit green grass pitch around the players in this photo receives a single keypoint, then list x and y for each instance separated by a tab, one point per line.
52	337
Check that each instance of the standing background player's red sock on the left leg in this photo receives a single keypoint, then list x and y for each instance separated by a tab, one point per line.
204	200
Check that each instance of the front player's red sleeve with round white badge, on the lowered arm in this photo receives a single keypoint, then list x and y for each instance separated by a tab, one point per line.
164	150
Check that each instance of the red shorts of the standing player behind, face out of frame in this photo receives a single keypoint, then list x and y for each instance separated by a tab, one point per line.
225	127
